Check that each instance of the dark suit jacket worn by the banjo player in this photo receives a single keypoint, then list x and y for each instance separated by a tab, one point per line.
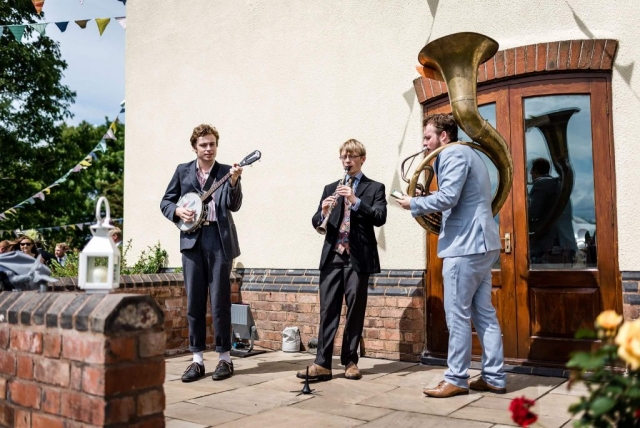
227	199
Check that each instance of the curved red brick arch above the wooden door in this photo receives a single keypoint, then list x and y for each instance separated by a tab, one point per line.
541	58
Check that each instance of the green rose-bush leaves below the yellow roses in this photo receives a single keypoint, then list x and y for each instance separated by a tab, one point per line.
613	396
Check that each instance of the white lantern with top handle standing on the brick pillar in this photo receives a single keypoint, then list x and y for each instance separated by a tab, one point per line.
99	270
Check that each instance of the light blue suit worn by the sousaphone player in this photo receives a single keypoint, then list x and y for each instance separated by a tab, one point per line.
469	243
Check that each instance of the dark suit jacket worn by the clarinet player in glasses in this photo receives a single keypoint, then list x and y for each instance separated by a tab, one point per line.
362	241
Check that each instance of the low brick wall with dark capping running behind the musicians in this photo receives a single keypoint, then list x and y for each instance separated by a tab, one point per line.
394	323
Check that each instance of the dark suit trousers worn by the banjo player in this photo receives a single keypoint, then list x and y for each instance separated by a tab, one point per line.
206	274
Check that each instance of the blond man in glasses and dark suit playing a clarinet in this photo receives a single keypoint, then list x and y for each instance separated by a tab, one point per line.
347	213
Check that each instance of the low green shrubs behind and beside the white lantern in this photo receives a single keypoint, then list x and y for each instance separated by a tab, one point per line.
151	260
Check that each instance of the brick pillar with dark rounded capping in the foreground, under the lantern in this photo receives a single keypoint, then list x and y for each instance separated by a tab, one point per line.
75	359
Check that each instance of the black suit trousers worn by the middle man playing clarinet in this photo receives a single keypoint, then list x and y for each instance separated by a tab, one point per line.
337	279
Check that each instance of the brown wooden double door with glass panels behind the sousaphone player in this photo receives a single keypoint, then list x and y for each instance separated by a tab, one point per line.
563	268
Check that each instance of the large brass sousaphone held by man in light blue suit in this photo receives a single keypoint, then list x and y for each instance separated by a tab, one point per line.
454	59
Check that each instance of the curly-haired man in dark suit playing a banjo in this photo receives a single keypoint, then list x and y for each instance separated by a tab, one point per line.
207	251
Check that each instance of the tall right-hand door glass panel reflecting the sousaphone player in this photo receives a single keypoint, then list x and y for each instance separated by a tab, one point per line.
561	204
